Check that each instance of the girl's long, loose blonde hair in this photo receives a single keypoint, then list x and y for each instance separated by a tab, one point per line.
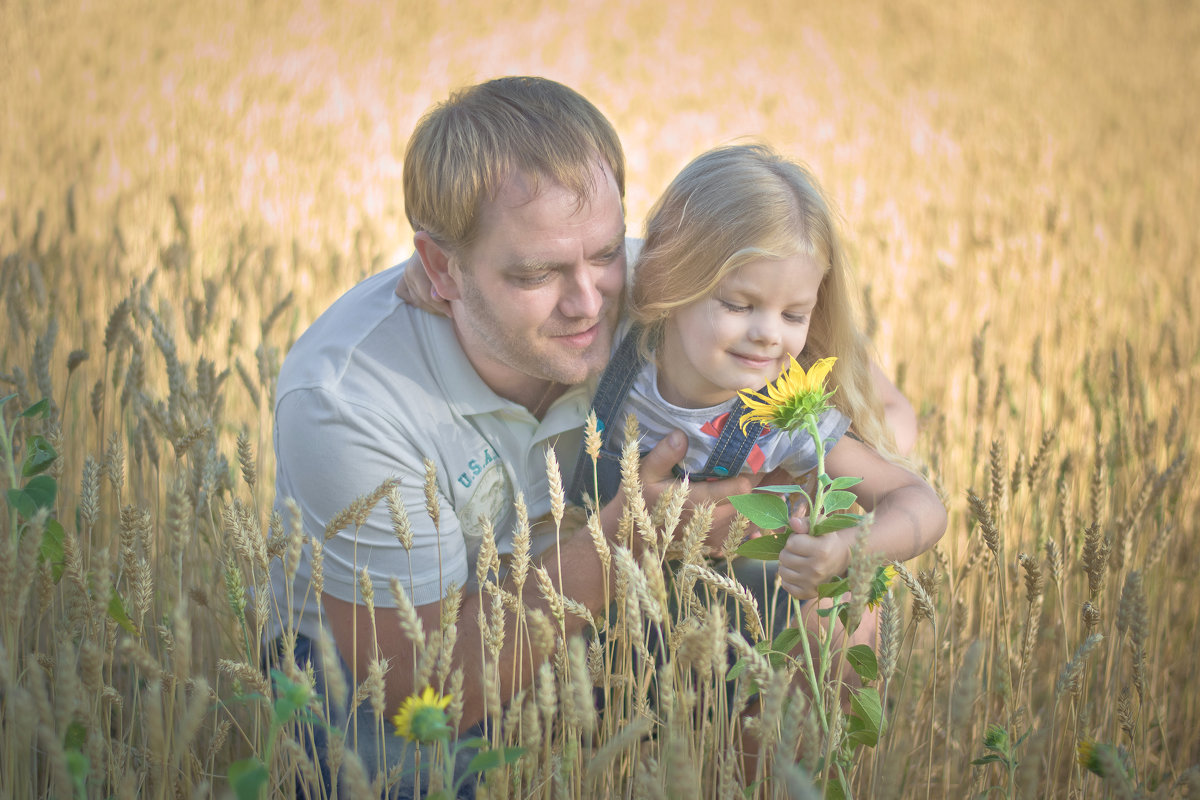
737	204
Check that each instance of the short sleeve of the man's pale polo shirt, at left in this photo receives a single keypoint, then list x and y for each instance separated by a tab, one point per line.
331	453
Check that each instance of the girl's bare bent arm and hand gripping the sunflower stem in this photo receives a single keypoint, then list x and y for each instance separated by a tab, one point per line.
909	520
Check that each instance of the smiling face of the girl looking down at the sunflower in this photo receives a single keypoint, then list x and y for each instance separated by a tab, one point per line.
741	335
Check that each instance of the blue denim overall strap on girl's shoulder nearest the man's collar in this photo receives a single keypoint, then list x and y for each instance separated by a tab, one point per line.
611	393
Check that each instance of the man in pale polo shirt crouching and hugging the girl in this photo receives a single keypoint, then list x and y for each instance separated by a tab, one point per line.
514	190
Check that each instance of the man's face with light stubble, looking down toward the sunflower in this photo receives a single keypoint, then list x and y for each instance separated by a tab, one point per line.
541	287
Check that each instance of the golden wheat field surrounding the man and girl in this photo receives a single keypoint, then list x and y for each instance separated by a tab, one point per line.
185	189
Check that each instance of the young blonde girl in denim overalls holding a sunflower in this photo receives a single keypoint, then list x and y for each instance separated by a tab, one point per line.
741	270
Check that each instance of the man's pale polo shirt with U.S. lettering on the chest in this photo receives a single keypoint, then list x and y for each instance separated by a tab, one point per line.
370	392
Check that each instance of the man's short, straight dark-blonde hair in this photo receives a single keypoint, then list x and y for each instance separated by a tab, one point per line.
464	149
